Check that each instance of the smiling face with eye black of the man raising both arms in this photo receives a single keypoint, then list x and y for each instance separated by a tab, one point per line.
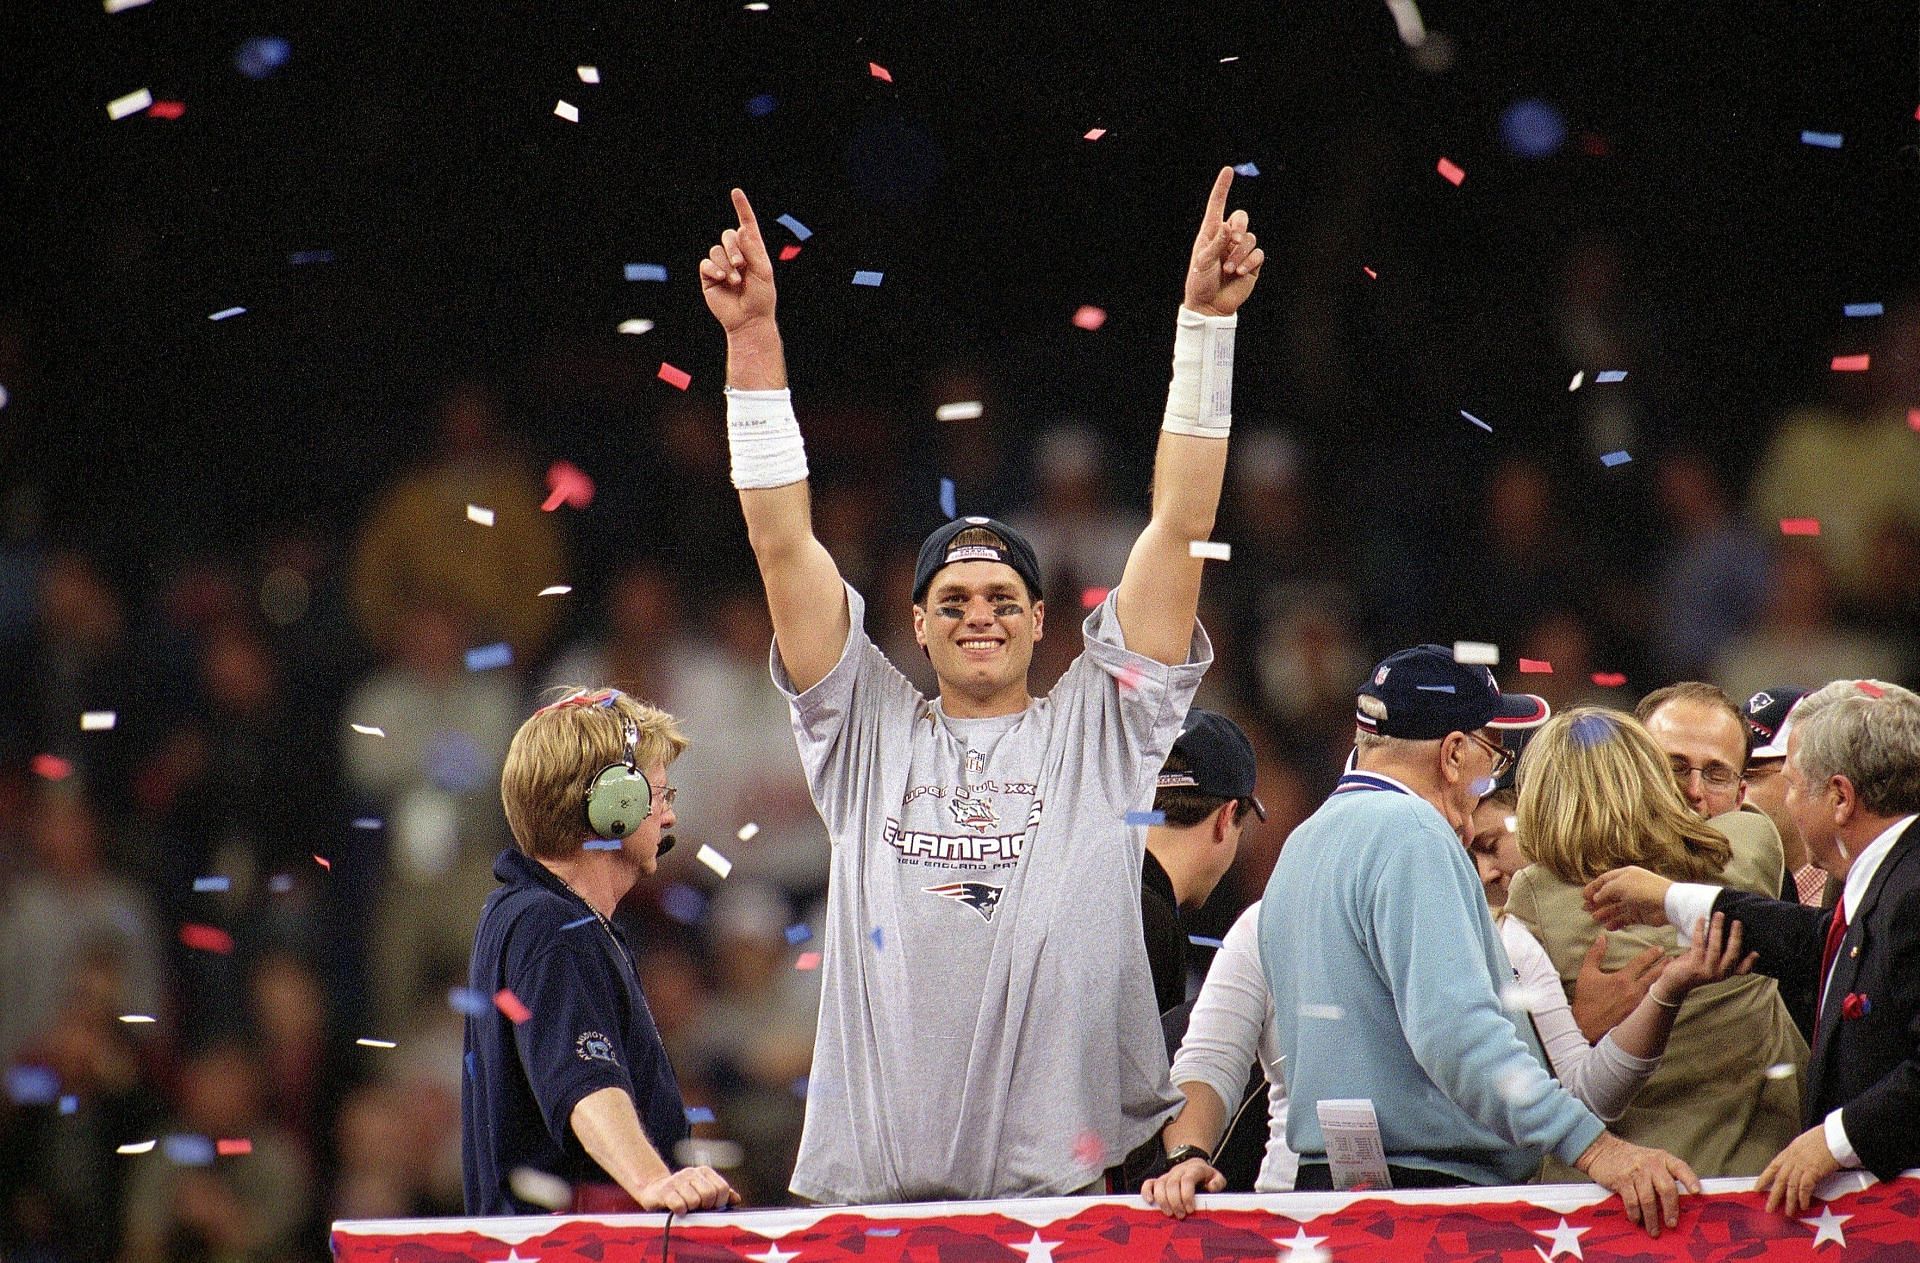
978	629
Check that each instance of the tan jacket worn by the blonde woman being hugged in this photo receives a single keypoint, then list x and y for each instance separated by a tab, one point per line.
1721	1099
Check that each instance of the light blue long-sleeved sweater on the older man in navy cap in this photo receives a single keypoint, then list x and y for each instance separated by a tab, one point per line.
1387	974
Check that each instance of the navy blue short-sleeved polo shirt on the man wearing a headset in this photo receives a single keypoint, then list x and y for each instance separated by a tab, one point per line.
590	1030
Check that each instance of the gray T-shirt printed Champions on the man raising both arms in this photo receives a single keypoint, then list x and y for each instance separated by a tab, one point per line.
988	1020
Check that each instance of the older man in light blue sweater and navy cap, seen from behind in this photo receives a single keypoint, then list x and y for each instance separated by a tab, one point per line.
1387	974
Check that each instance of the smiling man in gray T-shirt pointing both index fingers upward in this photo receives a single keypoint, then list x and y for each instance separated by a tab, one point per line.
980	1036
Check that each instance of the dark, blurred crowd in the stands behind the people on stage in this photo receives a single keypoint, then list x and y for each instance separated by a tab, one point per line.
247	536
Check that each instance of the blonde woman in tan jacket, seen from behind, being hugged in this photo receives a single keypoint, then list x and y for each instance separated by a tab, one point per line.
1598	794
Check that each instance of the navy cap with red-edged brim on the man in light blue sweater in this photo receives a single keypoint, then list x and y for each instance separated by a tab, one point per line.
1424	694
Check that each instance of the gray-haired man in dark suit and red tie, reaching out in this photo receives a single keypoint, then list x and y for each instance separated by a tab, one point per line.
1854	790
